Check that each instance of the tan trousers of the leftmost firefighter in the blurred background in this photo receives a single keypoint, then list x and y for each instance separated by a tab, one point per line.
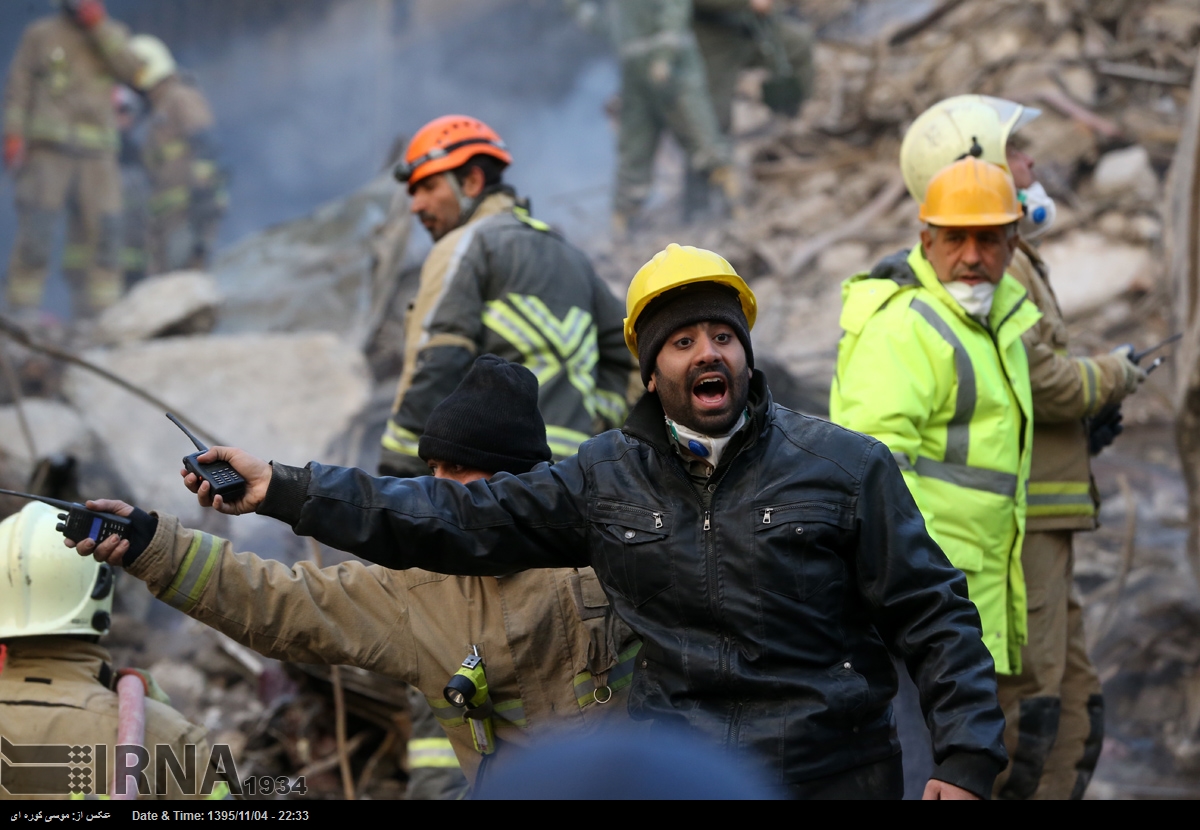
89	188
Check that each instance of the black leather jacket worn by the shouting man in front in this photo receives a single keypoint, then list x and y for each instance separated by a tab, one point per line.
767	602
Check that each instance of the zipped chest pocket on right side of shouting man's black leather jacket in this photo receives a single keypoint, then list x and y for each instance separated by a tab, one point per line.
799	546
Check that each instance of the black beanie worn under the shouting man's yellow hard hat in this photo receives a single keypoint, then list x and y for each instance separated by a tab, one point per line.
685	306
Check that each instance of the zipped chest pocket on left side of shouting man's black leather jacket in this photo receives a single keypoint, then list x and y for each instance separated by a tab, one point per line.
632	555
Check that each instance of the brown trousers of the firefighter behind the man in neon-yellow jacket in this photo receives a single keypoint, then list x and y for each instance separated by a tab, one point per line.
1054	708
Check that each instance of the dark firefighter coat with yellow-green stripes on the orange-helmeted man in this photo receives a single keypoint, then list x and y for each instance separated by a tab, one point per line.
507	285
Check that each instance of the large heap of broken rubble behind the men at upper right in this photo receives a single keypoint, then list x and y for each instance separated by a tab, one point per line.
825	190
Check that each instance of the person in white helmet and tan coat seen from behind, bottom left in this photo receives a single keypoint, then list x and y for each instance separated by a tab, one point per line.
57	681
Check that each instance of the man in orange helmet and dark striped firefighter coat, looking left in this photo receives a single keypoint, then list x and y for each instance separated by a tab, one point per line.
500	282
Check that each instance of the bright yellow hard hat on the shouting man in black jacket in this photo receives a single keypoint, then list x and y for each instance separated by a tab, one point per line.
681	266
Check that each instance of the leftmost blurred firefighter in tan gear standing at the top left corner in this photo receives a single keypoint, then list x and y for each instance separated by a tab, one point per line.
61	143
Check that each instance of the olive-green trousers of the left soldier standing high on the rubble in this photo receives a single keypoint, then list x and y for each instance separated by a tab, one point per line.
664	92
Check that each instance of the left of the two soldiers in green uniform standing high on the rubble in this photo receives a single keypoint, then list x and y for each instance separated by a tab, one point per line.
663	86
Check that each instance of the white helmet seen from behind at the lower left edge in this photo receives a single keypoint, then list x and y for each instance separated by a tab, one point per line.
46	588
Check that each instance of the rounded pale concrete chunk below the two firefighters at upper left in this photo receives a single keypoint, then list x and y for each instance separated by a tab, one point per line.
184	303
